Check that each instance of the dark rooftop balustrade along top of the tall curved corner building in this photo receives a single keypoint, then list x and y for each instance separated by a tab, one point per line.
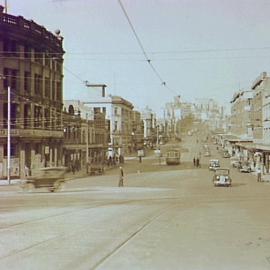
30	26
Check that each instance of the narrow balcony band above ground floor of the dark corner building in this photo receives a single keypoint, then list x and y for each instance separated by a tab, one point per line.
28	133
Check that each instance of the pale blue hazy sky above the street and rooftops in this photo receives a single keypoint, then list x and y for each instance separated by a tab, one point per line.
200	48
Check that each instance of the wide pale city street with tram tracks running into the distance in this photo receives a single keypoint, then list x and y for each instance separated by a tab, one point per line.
160	219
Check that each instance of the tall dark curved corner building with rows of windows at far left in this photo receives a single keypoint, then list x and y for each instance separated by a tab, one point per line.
31	60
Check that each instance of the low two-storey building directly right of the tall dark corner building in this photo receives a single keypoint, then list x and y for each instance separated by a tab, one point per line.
92	144
